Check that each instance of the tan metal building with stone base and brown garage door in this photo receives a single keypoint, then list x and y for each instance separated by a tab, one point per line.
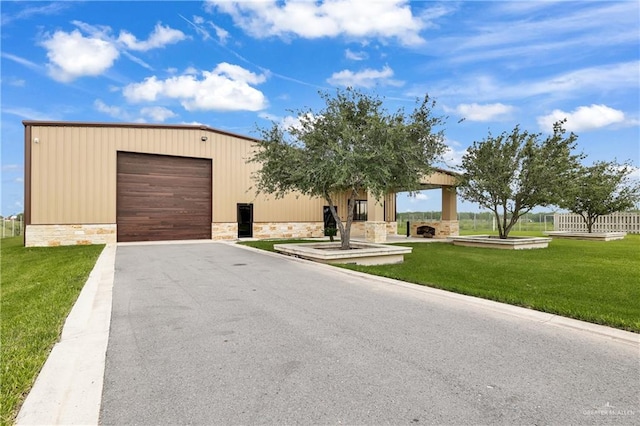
94	183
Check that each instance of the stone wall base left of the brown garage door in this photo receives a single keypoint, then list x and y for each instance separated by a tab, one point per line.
69	235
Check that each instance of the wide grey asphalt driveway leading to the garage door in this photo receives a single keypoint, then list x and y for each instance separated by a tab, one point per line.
218	334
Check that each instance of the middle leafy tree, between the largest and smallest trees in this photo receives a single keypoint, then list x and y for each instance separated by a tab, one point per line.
514	172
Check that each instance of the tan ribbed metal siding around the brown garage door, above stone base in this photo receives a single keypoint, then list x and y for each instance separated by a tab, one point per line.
73	167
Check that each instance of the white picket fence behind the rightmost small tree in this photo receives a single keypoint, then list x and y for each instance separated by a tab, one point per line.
615	222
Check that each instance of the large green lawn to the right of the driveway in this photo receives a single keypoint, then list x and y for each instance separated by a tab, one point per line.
593	281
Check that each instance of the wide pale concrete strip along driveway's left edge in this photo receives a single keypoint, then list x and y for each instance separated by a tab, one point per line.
68	389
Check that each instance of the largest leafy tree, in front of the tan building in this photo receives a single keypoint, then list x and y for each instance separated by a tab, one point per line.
351	144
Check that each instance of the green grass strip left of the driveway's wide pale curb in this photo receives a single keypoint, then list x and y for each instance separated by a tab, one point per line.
39	287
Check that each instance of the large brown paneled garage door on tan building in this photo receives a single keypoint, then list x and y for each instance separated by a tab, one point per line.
163	198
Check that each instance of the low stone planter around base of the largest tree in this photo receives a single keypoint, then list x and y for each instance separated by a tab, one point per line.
360	253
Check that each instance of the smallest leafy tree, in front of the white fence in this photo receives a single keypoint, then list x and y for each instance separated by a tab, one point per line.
600	189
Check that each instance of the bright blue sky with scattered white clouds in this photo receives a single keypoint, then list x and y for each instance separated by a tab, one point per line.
237	65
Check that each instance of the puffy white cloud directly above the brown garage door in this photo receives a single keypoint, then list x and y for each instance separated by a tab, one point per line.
226	88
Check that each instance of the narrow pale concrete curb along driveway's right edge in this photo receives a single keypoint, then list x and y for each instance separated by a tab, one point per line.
543	318
